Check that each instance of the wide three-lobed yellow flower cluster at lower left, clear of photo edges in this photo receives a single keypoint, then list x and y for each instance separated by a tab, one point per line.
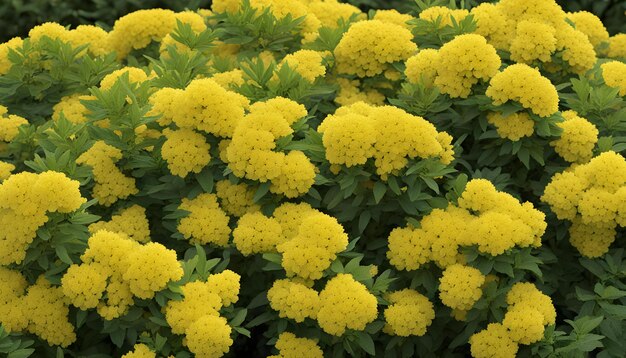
121	267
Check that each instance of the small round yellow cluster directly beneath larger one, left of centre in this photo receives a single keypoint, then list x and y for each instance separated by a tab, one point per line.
185	151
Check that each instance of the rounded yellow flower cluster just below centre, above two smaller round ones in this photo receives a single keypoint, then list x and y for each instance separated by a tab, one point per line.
314	247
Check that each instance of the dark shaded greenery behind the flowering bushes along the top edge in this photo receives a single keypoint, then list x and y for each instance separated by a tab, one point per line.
19	16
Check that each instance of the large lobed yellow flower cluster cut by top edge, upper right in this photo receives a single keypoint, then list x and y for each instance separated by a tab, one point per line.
538	31
